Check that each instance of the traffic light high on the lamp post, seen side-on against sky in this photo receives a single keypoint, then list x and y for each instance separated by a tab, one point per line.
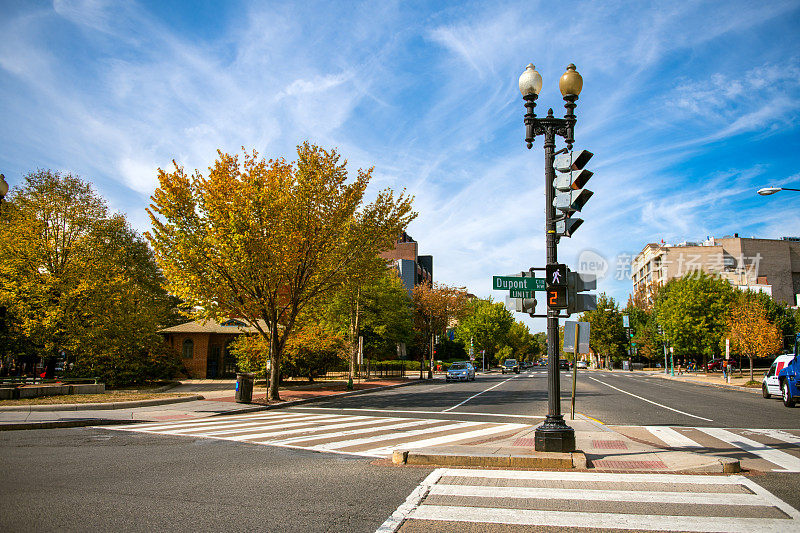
570	195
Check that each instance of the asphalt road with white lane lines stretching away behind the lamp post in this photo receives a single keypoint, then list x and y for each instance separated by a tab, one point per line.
614	398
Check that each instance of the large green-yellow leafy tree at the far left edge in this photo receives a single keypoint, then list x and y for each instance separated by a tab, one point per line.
78	283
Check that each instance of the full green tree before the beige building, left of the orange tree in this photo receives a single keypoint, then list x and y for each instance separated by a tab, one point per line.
693	312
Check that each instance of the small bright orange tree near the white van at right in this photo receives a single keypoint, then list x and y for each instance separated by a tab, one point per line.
750	332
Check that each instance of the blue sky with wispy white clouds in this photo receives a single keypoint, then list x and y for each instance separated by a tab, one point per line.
689	108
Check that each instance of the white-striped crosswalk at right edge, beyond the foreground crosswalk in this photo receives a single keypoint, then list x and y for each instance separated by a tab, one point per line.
776	450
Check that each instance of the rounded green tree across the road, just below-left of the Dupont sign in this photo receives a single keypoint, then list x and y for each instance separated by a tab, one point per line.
487	324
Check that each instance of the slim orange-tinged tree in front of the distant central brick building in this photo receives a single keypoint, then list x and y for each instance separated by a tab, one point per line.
436	306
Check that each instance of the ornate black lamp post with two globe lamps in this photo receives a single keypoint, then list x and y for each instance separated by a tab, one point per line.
554	435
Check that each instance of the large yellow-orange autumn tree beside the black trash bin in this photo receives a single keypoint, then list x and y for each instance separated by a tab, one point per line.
263	239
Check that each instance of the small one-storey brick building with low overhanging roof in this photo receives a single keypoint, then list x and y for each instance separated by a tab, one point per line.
203	345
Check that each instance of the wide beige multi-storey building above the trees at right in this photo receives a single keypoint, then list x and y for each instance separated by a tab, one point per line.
764	265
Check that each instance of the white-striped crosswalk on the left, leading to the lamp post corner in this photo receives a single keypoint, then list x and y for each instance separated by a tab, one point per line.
369	436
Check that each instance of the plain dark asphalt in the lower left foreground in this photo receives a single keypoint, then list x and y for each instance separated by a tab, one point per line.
85	479
